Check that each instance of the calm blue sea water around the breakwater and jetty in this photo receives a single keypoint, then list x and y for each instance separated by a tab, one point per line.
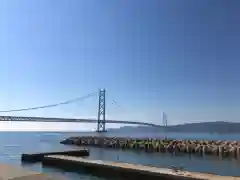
13	144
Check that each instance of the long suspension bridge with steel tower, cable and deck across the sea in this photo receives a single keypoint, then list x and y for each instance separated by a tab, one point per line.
101	118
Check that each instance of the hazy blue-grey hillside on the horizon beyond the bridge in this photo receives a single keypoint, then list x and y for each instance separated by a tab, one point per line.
206	127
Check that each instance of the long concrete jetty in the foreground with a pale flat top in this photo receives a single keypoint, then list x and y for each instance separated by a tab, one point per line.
126	170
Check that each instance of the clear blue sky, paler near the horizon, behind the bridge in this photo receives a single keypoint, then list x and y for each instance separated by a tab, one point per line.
181	57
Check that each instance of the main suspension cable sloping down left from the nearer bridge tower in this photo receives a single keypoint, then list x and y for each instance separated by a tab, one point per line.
51	105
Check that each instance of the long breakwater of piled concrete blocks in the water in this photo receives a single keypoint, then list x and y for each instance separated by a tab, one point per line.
218	148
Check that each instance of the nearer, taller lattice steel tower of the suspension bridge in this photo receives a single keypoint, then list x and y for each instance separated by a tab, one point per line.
101	112
